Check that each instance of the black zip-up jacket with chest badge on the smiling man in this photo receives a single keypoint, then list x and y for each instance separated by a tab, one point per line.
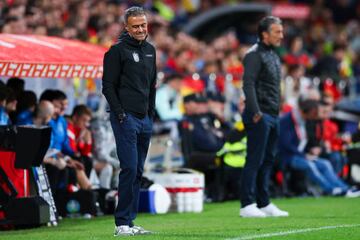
129	77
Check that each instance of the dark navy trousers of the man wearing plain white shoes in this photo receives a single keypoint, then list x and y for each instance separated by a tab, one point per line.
262	141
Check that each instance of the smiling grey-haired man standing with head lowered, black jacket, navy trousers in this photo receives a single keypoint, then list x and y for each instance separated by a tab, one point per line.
129	86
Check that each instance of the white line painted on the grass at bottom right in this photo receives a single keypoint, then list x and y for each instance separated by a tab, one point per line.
267	235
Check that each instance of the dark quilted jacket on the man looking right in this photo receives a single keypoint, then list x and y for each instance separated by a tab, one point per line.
262	80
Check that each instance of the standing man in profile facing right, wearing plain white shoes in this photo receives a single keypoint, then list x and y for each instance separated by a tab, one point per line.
262	91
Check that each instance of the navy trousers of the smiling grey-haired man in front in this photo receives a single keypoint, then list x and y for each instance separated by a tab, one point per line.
132	138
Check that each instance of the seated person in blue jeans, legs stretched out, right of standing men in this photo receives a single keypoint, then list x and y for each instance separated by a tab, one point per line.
292	145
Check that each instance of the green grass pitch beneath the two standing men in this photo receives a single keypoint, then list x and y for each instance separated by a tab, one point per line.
219	221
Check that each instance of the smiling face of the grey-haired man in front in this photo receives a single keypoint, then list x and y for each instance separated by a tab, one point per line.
137	27
